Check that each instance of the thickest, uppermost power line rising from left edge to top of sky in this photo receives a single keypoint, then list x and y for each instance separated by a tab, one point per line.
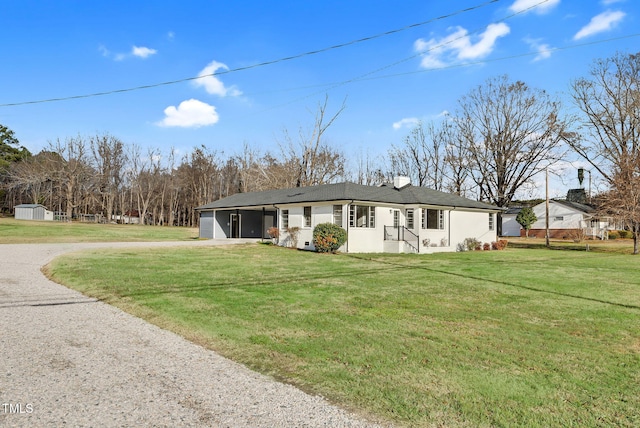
261	64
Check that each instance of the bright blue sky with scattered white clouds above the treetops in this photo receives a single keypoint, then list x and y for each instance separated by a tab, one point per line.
60	49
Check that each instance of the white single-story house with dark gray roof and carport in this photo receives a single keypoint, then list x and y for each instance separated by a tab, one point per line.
392	218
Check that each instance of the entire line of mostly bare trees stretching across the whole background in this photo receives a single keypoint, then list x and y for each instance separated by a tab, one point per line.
501	135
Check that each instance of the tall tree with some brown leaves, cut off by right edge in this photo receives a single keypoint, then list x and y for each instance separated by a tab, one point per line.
609	102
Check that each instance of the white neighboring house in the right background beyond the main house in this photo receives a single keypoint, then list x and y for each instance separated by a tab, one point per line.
566	218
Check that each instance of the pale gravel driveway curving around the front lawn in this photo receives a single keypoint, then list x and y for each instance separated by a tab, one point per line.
66	359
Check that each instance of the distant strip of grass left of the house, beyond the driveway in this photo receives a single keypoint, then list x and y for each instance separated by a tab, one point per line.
26	232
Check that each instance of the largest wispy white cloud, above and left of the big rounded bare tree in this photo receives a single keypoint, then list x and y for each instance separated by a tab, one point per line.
458	45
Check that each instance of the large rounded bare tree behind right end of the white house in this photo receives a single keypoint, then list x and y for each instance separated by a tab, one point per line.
511	133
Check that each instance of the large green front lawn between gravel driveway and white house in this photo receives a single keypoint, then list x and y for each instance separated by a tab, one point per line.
522	337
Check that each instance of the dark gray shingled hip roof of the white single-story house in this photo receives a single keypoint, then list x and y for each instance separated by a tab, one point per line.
347	191
